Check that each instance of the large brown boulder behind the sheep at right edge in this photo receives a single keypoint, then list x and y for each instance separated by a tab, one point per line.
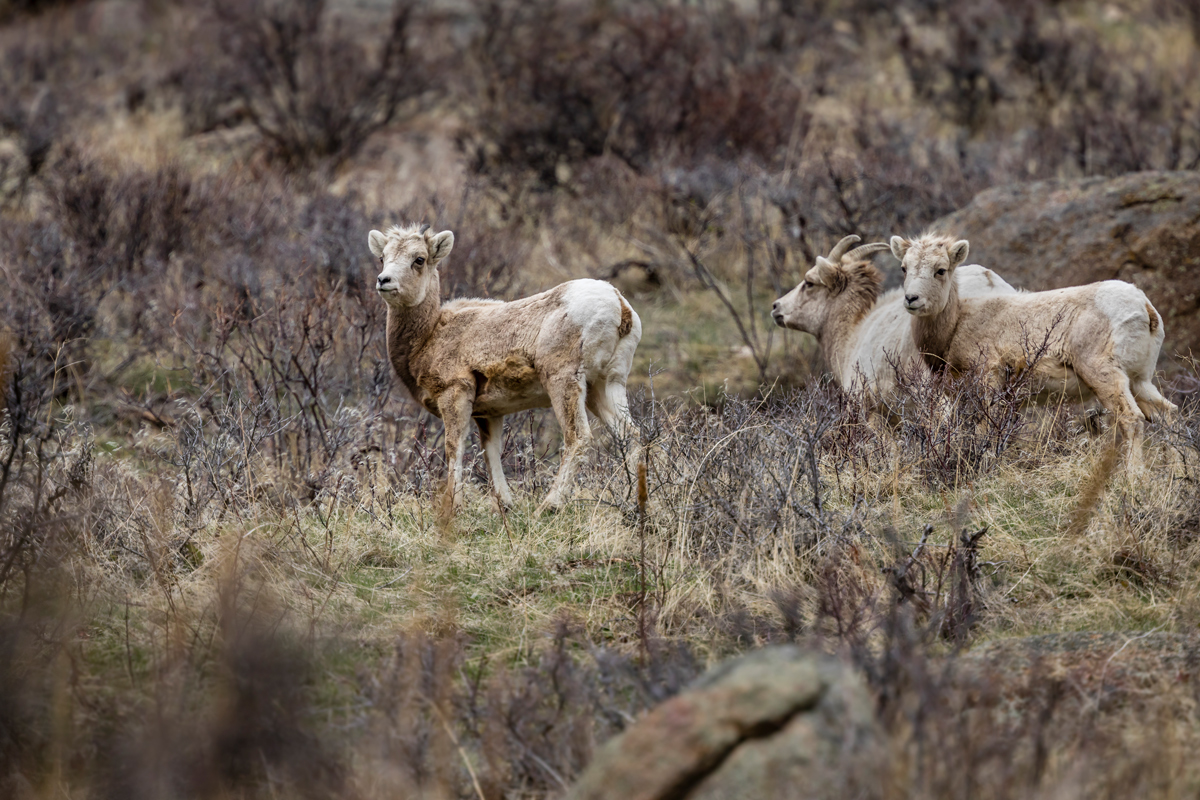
1143	228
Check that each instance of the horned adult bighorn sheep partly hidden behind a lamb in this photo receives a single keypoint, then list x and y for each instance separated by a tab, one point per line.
863	336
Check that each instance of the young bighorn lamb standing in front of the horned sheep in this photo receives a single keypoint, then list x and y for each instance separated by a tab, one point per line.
1099	340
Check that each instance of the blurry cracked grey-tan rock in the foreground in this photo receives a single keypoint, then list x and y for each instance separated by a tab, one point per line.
779	723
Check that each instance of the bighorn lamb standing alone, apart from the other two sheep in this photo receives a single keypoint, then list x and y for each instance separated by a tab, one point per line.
569	348
